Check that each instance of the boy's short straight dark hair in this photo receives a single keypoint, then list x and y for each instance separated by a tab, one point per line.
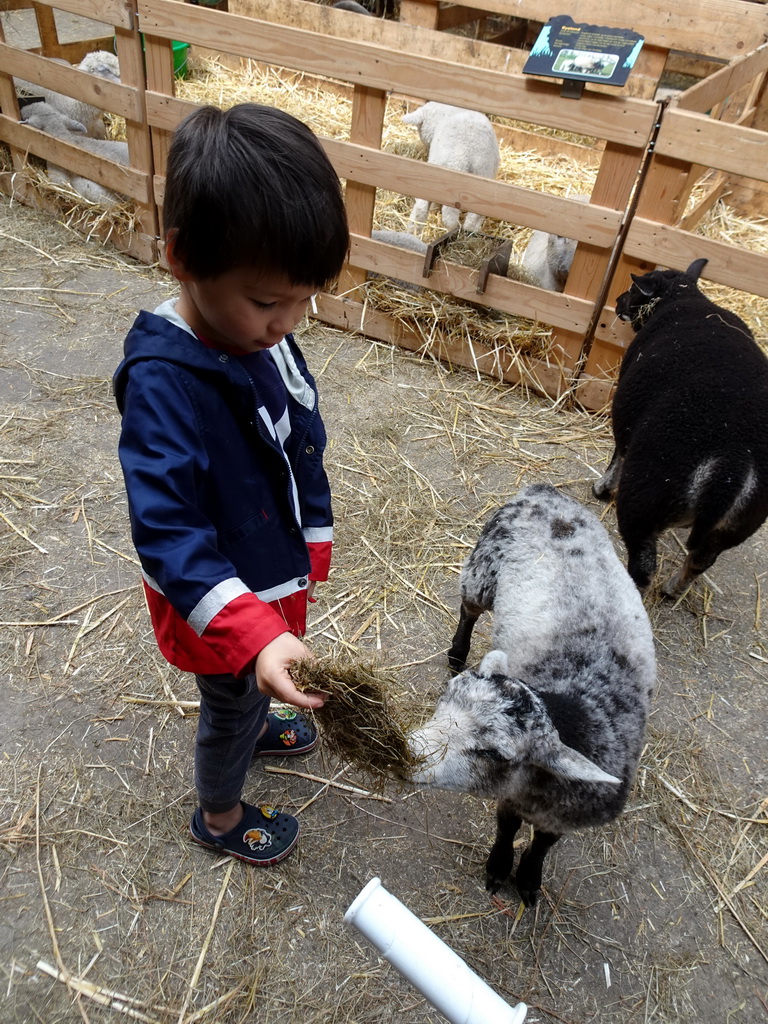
252	187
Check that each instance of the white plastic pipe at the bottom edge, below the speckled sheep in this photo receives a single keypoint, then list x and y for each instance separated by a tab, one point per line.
440	974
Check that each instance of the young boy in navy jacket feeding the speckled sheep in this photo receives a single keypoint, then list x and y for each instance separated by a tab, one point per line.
223	444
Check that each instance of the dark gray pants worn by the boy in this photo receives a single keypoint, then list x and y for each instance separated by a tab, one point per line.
232	714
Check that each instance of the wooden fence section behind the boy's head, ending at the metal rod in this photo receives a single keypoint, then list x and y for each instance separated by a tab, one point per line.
376	58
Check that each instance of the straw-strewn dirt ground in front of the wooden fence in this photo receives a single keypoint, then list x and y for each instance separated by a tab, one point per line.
658	919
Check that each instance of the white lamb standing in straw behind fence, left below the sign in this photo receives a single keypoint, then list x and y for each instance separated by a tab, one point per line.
460	141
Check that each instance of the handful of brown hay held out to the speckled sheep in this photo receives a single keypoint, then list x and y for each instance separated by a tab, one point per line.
358	720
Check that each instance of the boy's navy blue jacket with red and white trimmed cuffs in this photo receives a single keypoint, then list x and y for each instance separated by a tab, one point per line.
209	494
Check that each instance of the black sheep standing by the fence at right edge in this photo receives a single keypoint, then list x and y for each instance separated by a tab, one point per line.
691	426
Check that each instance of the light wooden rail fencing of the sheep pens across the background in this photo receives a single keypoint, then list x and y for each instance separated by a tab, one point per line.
622	230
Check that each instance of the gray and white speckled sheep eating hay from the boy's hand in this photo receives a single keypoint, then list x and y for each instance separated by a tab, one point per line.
551	724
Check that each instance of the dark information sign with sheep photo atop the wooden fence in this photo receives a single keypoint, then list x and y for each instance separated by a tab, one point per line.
584	53
